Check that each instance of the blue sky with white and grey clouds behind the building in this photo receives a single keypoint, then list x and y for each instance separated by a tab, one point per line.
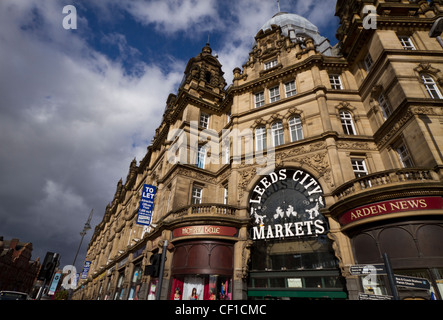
77	105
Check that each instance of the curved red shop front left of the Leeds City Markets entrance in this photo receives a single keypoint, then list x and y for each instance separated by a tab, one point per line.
202	269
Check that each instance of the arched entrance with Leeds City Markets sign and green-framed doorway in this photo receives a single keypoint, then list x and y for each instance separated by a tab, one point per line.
291	255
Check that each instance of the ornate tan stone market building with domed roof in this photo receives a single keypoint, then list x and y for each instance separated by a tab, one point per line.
315	159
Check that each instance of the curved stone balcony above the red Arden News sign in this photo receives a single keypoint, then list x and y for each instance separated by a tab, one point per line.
396	179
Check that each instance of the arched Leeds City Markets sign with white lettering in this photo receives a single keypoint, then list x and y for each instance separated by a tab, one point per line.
286	204
